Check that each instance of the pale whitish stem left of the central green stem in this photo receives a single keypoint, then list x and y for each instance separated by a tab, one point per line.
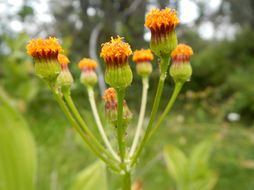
99	124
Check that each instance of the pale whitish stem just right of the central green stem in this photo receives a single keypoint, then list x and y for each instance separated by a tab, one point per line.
141	115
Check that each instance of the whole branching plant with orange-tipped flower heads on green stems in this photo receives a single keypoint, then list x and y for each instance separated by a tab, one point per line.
52	67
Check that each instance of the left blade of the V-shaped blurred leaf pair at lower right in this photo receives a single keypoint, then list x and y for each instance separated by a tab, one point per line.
176	162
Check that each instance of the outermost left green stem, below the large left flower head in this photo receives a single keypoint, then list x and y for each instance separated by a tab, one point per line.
82	133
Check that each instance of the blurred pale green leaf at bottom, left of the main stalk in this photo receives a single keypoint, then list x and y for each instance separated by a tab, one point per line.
93	177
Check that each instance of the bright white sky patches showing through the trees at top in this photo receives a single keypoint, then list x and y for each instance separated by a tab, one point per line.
188	12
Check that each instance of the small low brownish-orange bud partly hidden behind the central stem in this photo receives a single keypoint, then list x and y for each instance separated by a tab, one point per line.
110	98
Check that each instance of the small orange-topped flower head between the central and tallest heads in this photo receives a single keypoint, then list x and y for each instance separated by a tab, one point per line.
143	59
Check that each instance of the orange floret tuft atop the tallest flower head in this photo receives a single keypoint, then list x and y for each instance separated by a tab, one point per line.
164	19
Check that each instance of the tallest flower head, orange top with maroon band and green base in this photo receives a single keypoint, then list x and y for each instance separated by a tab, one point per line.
162	24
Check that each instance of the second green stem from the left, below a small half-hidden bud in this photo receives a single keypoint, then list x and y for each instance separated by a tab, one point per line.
78	117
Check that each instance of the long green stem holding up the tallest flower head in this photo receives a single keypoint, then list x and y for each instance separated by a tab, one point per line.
164	67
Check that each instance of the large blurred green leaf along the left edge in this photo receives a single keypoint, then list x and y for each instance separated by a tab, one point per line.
18	154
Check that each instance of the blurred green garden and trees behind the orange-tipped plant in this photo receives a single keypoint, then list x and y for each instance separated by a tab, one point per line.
217	104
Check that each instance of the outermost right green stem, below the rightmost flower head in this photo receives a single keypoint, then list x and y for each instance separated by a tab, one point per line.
177	89
